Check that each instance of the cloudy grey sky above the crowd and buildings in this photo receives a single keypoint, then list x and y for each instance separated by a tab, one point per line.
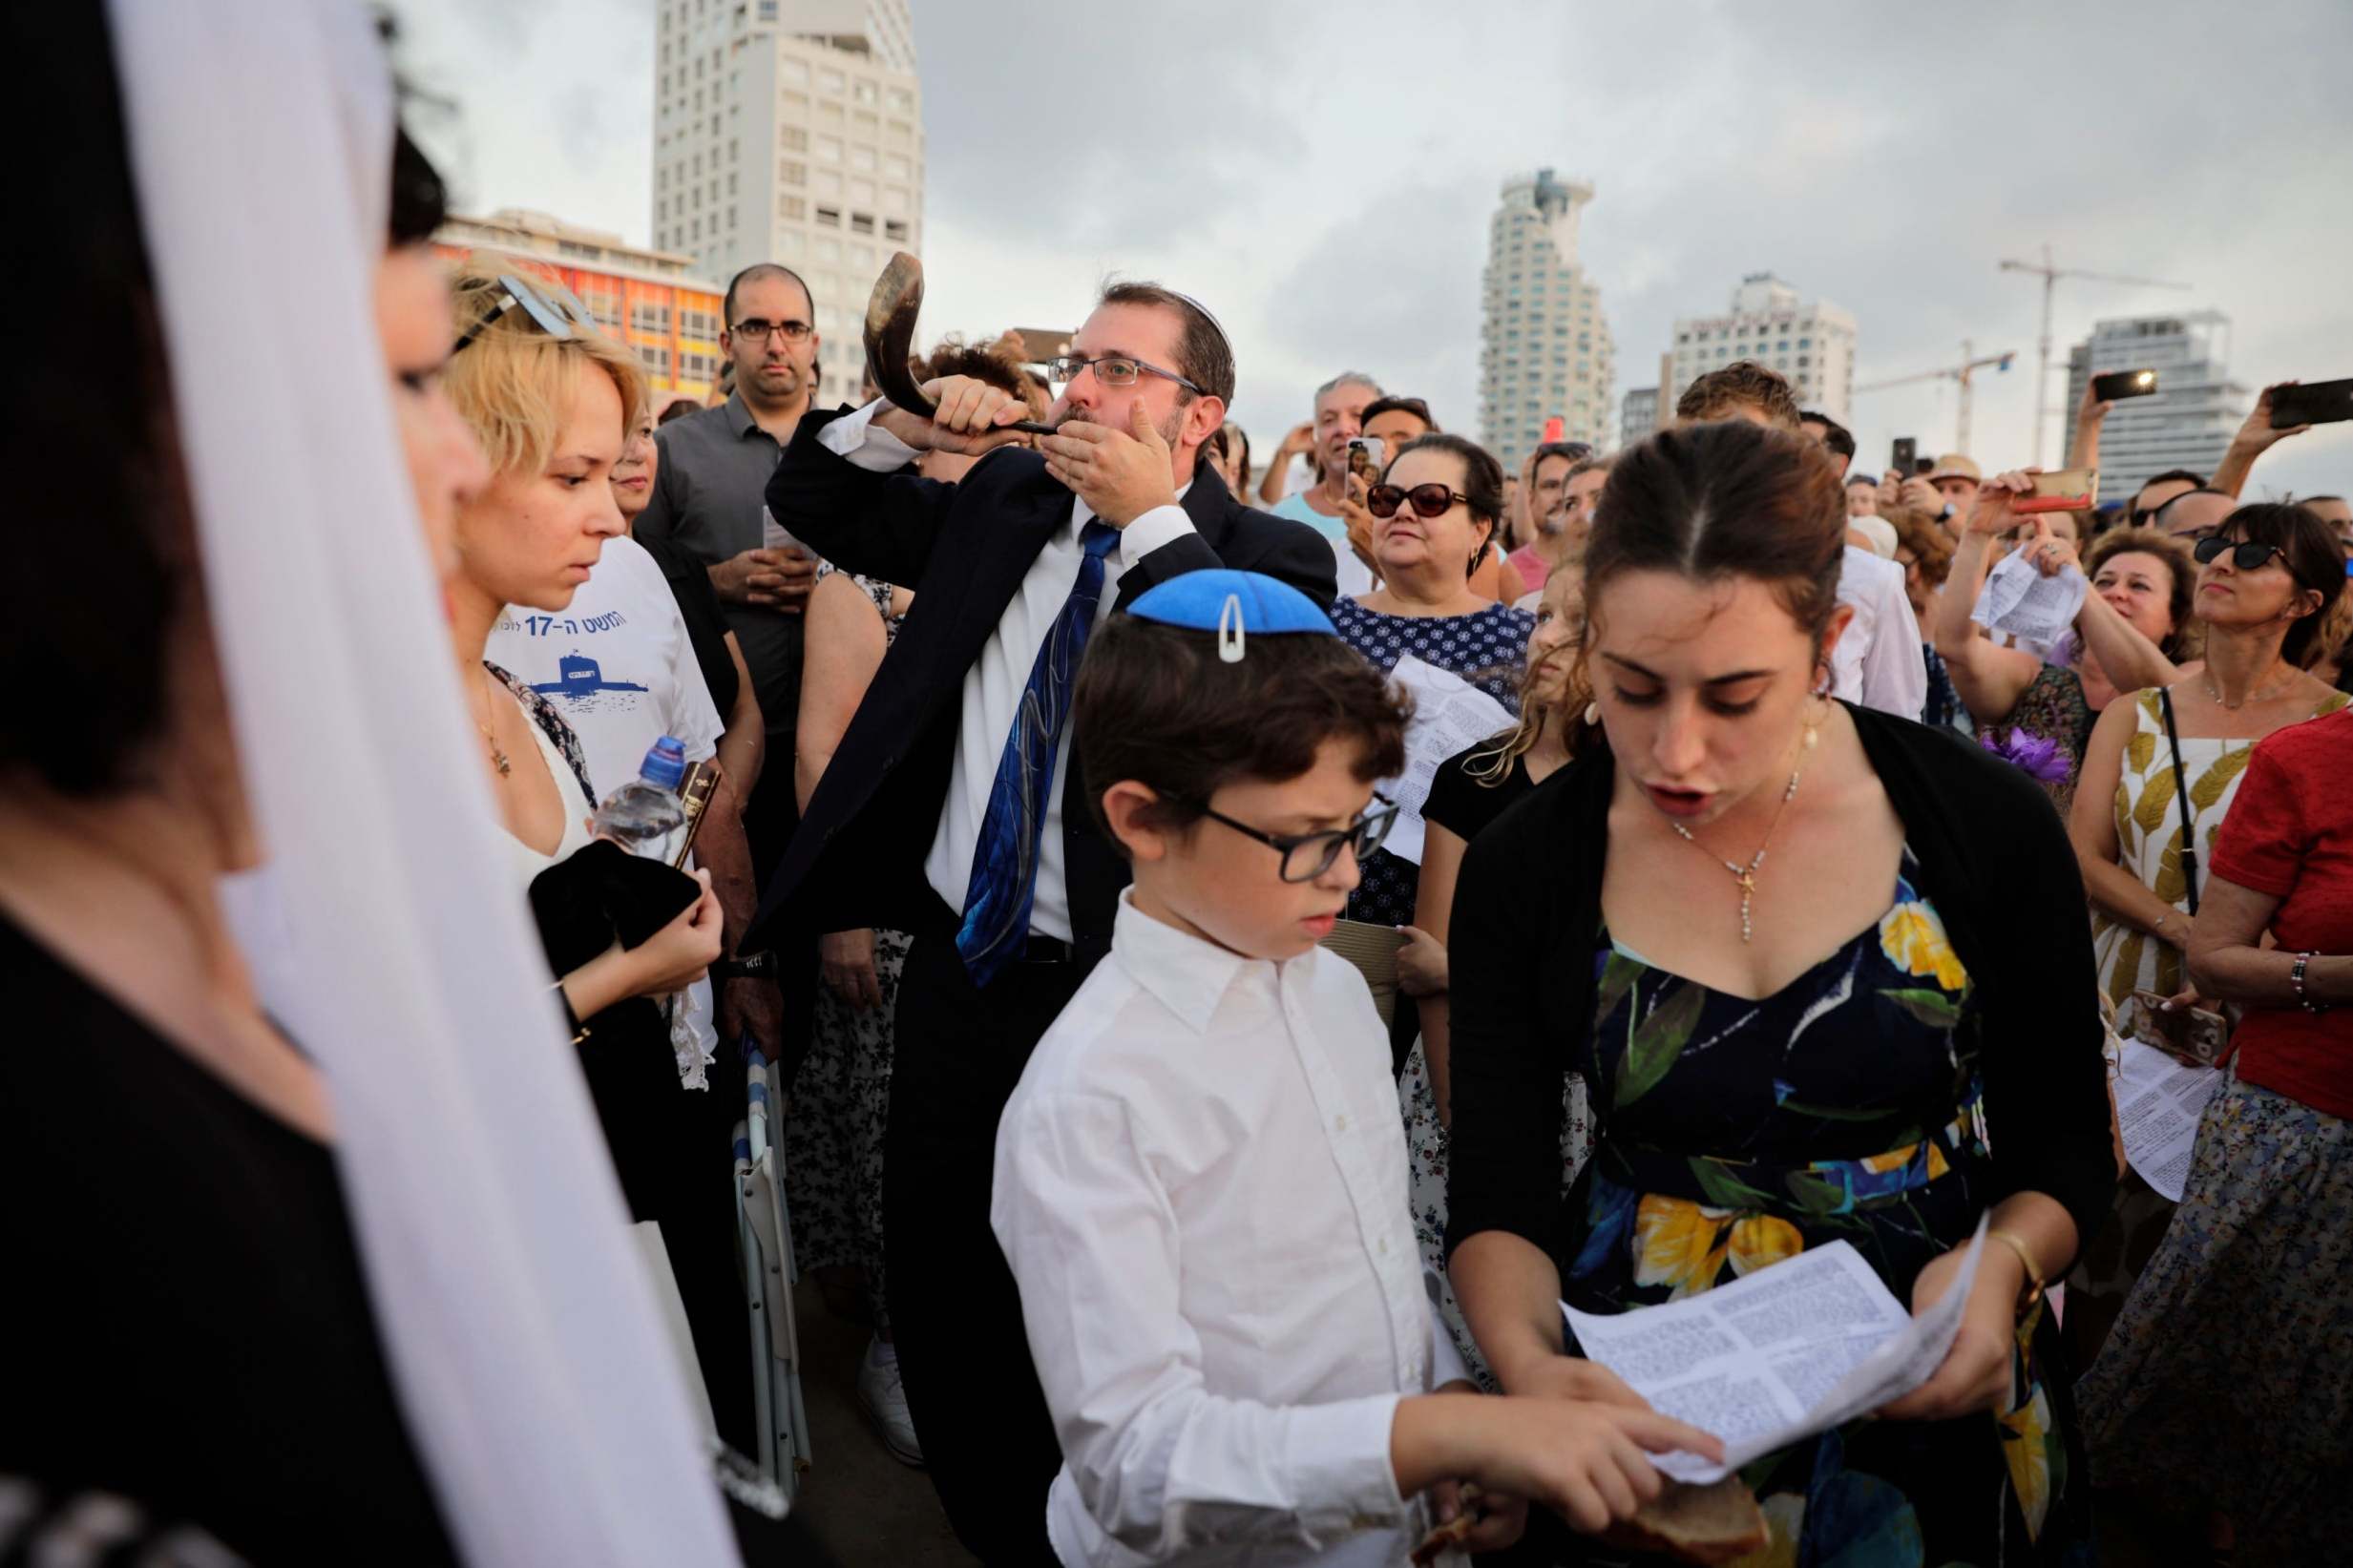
1324	175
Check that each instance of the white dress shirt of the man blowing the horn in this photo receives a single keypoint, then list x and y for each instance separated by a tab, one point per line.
1001	674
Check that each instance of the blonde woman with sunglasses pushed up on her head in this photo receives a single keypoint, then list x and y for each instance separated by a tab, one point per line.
554	403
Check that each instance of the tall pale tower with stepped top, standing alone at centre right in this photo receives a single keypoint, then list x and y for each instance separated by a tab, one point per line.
1545	347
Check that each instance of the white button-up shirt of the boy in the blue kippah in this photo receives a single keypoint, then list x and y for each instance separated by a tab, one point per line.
1201	1191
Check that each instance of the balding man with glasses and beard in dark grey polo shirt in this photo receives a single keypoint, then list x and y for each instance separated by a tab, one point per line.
707	497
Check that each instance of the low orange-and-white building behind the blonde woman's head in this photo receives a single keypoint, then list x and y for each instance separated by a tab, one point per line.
648	300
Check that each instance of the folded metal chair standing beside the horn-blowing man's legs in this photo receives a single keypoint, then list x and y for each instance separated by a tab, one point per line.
768	1285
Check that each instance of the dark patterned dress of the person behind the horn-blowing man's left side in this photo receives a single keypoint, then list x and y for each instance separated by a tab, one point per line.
839	1101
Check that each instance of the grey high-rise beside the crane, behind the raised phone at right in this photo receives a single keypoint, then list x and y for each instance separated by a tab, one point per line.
2187	422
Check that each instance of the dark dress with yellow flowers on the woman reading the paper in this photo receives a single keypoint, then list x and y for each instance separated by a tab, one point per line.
1846	1108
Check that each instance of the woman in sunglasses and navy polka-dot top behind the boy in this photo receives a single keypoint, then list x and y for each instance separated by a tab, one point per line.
1434	523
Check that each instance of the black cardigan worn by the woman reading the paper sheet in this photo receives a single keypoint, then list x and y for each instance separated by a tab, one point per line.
1992	857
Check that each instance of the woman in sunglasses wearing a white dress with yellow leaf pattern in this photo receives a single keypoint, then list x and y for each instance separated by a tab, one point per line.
2159	779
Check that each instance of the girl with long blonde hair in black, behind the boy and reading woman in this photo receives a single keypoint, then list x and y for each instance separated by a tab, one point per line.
1469	793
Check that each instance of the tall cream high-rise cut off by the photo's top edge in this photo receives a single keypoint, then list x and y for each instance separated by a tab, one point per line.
792	130
